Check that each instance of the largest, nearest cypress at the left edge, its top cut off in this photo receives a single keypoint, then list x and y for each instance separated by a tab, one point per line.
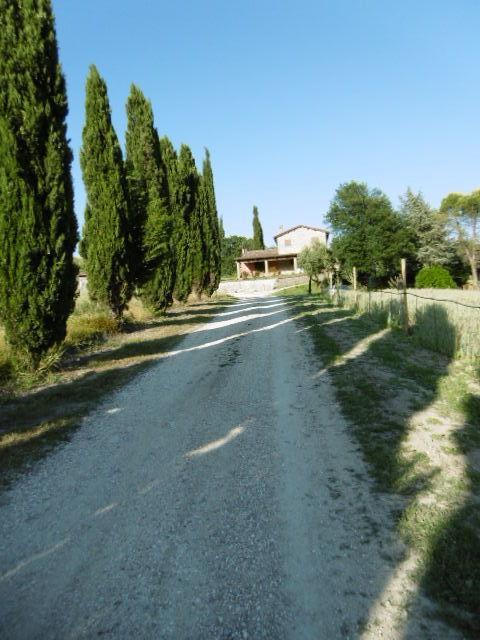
38	229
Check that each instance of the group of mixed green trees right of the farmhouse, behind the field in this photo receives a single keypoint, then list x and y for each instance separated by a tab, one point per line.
372	236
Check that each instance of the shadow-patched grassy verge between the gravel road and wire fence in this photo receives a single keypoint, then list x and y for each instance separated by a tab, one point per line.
416	415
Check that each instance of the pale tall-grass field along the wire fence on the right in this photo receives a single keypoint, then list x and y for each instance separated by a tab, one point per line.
449	325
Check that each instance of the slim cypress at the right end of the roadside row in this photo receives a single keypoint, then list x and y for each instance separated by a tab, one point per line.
211	229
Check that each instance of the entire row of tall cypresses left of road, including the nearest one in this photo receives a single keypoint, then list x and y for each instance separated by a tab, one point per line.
151	223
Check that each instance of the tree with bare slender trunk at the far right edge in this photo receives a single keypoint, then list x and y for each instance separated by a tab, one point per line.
463	214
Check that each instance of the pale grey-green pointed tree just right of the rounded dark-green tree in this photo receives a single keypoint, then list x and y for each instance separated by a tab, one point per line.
428	230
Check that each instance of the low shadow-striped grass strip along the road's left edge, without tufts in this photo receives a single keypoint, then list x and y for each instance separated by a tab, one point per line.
32	423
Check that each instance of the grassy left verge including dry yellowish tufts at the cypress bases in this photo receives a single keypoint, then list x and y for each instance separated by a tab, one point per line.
37	413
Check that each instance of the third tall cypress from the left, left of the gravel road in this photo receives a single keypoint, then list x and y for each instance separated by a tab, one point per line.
150	206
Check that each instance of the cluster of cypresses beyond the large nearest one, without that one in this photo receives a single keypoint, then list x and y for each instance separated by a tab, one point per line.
151	223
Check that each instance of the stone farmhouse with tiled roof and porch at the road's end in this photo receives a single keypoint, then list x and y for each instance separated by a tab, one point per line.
281	259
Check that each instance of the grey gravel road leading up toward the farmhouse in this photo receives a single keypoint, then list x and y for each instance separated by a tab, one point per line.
218	495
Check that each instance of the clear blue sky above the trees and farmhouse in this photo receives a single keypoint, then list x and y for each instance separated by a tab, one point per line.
291	97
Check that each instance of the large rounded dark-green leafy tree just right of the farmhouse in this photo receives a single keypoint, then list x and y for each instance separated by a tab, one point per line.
369	234
